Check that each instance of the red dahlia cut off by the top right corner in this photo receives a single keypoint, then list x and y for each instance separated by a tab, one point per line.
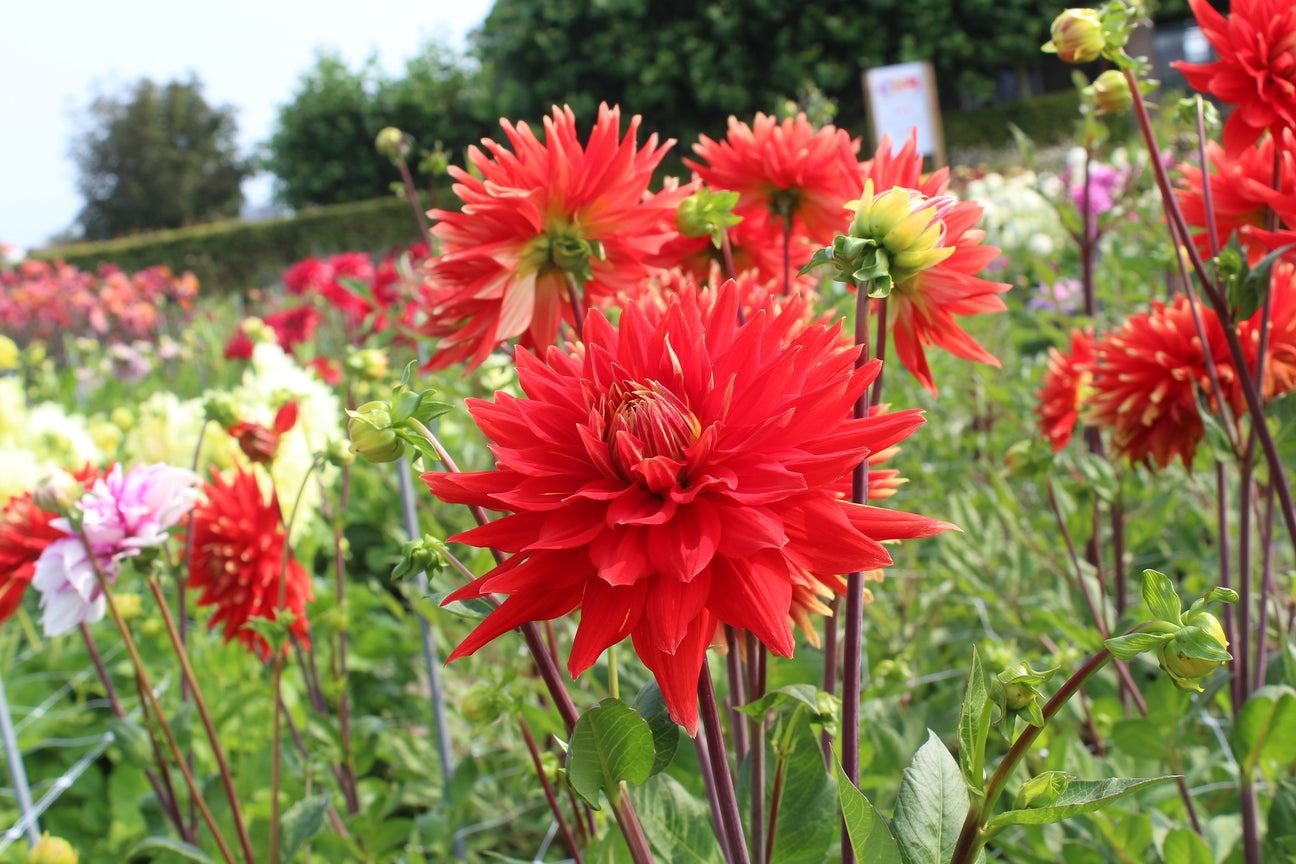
1256	71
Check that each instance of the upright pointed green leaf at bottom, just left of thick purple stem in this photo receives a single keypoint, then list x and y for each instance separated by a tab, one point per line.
802	835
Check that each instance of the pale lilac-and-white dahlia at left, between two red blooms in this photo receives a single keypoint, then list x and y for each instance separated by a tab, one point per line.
120	516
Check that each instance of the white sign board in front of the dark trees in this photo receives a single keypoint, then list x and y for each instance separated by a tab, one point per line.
903	99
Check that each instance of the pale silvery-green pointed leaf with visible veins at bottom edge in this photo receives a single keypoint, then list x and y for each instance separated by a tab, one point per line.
931	806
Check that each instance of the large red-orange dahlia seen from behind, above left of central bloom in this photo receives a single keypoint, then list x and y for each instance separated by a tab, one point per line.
537	213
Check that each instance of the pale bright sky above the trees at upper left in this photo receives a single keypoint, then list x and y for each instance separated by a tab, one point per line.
55	58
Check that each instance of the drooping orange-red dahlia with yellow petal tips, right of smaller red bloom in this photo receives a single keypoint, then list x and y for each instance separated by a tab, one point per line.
1148	381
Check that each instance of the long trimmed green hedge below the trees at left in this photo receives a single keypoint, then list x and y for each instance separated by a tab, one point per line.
238	256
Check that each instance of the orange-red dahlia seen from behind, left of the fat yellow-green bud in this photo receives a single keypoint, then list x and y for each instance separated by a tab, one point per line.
789	176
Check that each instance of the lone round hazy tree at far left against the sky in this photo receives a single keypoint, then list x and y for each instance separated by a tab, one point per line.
157	157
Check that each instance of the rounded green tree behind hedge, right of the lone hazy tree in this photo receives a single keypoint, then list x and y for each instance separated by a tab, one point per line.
322	151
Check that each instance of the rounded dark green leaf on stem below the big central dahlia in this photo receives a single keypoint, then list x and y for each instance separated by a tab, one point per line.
610	744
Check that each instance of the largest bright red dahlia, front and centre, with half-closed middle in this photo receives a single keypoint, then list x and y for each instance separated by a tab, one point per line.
677	475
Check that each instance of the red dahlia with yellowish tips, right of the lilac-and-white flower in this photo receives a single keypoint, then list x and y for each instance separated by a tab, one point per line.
238	560
